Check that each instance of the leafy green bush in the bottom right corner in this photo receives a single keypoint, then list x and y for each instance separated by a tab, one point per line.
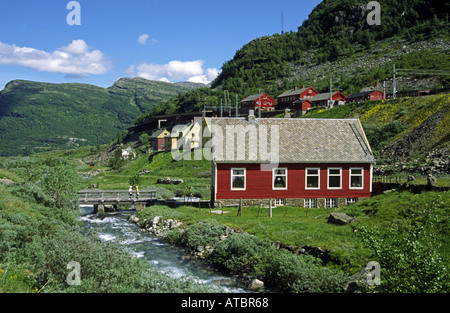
409	252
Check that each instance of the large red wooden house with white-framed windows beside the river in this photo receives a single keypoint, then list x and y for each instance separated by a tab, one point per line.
313	163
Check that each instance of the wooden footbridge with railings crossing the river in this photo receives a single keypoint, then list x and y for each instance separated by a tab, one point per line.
109	200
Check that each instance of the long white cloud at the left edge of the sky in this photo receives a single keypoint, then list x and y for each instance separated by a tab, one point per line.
76	59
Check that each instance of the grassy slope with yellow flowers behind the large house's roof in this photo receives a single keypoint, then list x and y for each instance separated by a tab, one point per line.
403	129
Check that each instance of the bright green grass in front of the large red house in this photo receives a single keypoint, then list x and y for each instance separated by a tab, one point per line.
299	226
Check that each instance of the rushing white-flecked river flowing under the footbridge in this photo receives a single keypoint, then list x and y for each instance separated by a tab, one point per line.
163	256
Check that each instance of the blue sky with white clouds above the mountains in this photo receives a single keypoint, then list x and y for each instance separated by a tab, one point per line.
169	40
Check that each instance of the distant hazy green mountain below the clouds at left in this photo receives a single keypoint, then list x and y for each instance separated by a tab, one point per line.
38	116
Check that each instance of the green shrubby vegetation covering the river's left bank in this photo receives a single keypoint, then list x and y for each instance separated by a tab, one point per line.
40	234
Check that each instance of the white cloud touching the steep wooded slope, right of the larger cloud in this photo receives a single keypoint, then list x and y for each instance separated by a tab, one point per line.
175	71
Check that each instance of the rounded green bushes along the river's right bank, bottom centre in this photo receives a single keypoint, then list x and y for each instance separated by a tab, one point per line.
280	268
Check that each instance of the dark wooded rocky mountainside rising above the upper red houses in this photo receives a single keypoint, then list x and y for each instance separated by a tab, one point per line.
336	41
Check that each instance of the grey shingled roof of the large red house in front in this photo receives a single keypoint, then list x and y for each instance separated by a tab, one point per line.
299	140
